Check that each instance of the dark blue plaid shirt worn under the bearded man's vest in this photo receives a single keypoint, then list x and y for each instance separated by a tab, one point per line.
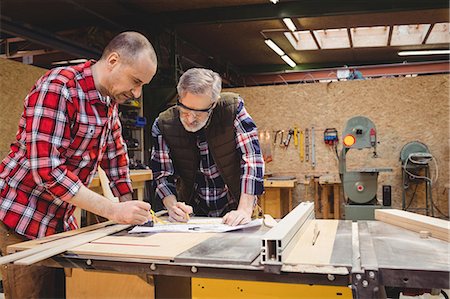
212	192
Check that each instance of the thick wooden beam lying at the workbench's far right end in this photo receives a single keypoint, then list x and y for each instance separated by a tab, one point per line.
438	228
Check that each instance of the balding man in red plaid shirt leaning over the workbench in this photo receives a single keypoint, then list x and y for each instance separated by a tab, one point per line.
69	127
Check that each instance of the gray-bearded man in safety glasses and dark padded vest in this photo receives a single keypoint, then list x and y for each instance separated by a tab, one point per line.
206	156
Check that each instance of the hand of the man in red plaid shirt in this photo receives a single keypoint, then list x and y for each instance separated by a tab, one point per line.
131	212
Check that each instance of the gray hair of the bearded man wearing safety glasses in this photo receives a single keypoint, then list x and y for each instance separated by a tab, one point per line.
200	82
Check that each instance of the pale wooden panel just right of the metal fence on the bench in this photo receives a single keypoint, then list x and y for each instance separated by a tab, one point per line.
304	252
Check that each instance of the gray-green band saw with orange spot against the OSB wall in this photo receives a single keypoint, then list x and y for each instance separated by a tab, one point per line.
360	186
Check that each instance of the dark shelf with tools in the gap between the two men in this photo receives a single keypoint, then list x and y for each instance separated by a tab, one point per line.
133	123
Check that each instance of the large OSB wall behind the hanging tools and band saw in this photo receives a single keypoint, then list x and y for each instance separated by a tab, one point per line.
402	109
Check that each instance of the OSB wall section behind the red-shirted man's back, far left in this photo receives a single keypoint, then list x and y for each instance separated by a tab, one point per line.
16	80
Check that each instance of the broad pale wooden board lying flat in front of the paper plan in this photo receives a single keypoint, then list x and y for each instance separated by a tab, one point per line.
163	246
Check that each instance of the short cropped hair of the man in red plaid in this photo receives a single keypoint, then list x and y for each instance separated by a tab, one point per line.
129	44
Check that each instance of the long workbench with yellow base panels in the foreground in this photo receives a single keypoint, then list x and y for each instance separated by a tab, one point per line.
366	255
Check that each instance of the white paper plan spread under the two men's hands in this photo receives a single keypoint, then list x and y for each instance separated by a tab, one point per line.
195	225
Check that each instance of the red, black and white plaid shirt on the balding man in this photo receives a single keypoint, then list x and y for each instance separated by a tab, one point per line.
66	130
